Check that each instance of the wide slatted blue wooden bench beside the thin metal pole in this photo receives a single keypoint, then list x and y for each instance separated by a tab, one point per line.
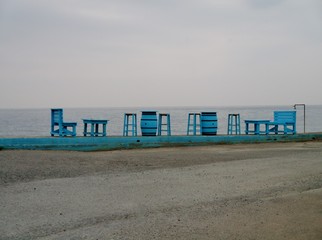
284	119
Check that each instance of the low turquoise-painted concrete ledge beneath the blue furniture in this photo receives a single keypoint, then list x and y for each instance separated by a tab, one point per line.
120	142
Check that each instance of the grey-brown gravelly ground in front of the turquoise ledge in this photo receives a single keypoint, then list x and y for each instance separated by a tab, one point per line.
253	191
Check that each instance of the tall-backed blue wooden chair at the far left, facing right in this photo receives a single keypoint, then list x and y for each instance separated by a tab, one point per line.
59	127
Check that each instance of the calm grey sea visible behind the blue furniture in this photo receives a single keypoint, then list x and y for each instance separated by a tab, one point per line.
36	122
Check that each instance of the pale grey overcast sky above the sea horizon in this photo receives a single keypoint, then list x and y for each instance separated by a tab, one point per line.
124	53
